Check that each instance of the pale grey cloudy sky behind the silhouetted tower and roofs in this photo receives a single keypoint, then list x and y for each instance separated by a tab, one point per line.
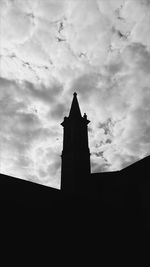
51	48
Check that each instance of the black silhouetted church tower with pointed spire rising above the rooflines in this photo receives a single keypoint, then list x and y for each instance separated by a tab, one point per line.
75	169
